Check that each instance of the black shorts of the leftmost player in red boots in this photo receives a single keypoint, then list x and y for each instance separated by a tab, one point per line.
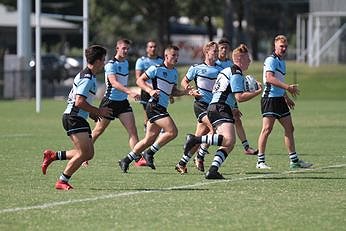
75	124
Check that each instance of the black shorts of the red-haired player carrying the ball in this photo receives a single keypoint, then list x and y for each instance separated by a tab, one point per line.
219	113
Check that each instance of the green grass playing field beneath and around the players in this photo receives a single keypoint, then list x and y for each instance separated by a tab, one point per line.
144	199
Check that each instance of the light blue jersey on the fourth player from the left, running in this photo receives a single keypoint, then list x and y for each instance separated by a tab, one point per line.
163	79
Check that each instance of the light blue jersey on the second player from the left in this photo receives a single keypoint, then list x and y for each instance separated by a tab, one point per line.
121	70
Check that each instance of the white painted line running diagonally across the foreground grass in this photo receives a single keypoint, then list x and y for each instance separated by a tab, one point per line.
113	195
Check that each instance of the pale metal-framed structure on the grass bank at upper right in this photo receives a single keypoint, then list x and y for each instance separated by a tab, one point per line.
321	38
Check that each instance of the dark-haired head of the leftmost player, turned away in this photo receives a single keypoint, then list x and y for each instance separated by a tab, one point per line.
95	56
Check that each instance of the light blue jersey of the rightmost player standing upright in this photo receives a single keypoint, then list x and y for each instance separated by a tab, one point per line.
278	66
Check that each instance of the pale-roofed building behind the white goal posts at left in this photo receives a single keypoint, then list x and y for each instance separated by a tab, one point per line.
57	30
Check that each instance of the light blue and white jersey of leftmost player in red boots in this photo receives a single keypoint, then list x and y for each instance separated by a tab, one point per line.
84	84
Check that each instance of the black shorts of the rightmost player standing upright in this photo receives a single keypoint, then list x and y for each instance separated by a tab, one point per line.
274	107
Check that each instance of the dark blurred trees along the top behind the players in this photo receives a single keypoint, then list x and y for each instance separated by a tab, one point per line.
254	22
